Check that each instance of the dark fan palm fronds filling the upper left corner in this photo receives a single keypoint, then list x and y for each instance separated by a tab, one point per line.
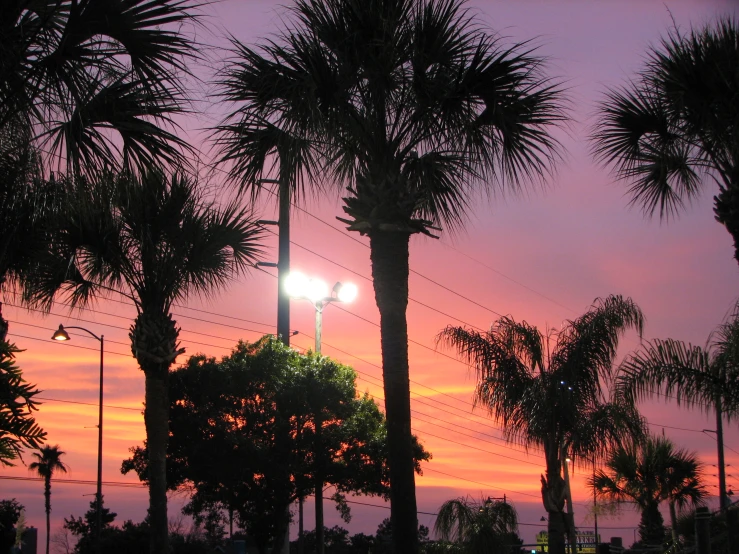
84	85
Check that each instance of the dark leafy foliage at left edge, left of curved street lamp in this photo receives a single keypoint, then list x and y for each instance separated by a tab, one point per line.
18	427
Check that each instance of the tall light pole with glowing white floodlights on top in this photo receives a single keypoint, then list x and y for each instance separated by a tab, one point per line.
316	291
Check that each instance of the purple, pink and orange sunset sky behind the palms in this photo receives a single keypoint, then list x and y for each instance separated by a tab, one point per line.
542	256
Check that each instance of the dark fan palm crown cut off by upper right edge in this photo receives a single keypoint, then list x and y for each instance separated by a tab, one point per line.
673	128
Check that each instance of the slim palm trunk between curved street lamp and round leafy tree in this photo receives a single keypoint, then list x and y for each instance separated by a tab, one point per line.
156	419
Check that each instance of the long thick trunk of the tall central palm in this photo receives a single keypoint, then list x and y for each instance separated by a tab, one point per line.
389	256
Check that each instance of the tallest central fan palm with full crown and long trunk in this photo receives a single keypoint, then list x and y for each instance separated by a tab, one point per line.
416	109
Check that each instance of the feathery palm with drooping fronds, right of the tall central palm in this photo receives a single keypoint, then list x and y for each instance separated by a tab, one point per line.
550	395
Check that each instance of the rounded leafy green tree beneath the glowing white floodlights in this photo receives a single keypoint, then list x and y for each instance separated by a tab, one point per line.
243	434
